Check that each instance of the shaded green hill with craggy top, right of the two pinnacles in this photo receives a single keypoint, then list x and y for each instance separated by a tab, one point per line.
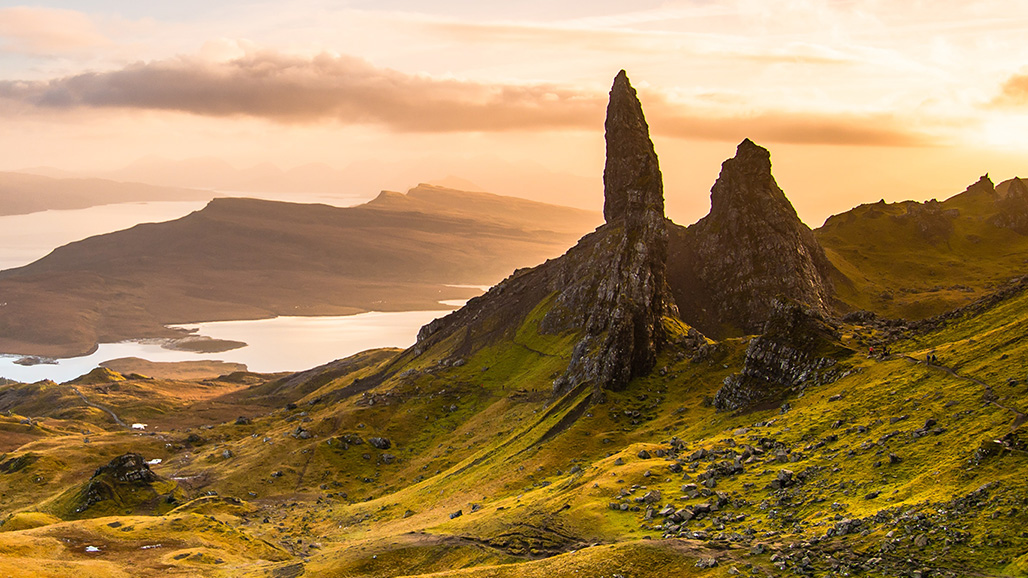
914	261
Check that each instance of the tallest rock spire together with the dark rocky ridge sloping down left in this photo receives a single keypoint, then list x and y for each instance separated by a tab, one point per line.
611	286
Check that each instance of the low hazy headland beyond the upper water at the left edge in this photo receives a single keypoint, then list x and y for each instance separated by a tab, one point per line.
23	194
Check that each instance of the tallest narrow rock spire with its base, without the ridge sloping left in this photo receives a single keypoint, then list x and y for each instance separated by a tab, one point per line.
629	297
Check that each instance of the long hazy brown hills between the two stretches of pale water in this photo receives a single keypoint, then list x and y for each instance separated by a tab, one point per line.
243	259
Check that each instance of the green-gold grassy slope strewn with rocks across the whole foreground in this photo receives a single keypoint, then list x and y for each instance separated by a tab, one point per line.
897	468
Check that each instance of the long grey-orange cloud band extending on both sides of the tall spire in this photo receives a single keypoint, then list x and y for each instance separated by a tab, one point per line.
303	90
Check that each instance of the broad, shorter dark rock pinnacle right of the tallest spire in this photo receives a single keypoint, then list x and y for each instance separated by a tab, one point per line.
726	270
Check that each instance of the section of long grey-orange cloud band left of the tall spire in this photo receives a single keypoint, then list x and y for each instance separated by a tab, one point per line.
291	89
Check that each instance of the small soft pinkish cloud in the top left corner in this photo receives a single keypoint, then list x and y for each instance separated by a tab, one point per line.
47	31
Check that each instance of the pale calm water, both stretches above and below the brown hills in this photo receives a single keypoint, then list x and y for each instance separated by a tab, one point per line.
285	344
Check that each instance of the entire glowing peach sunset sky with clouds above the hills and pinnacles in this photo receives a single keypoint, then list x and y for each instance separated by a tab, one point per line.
857	100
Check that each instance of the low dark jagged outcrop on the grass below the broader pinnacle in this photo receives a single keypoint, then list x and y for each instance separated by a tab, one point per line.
798	348
